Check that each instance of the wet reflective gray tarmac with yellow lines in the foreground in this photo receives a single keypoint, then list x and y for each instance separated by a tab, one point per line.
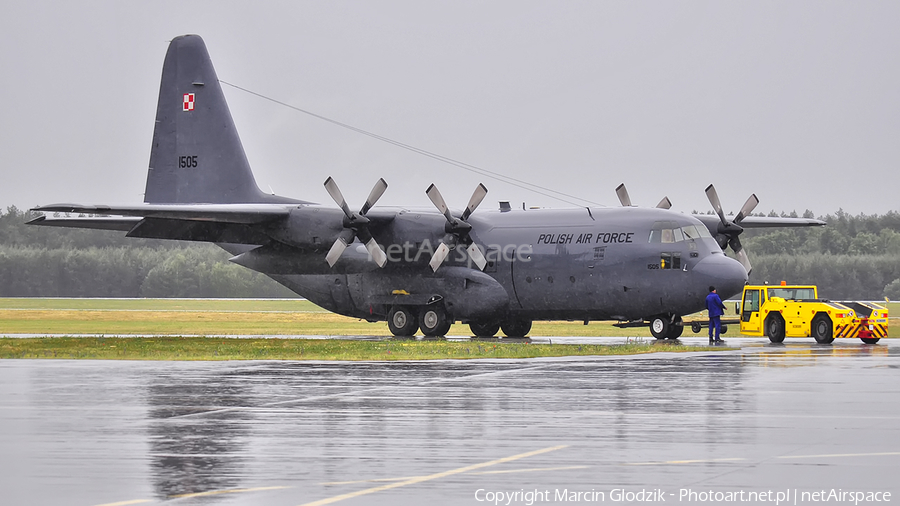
752	424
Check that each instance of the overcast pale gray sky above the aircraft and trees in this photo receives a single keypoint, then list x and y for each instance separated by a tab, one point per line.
798	102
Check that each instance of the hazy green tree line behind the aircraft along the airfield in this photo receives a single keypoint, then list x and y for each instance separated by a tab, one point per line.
853	257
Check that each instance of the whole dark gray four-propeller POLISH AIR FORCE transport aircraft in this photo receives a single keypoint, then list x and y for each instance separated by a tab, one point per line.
417	268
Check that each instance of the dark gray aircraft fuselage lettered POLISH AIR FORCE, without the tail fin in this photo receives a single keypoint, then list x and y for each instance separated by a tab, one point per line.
543	264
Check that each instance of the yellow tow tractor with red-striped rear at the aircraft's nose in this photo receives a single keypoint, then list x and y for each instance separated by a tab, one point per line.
780	311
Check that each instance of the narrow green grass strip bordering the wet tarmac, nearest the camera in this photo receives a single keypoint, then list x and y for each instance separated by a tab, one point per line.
204	348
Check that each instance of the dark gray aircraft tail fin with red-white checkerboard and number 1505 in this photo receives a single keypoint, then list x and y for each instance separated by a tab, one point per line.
196	156
